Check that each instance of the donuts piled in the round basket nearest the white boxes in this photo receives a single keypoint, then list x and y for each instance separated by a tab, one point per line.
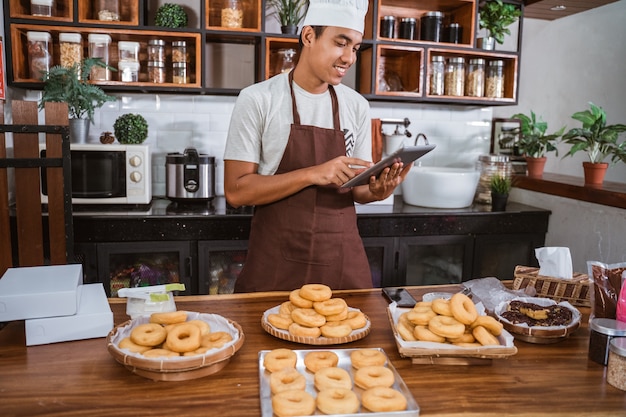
171	334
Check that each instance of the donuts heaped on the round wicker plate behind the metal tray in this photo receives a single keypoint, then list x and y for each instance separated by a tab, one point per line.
313	312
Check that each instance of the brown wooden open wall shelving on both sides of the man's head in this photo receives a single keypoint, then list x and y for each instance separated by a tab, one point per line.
223	59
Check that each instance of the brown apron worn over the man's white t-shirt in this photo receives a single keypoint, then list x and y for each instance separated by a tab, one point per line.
311	236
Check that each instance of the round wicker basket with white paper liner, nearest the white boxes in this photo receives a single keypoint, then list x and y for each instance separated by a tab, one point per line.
177	369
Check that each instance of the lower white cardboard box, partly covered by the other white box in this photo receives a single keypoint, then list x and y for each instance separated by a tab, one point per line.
93	319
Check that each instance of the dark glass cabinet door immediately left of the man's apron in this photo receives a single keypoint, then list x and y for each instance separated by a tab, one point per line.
219	265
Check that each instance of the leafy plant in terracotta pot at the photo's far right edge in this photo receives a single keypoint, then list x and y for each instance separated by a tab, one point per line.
598	140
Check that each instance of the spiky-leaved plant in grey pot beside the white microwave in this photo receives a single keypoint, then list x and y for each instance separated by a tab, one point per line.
70	85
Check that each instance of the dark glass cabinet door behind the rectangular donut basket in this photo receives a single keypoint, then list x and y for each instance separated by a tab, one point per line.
433	260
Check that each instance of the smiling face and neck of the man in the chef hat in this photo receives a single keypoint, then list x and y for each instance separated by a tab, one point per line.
325	59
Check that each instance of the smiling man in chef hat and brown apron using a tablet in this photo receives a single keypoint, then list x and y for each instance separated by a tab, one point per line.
293	141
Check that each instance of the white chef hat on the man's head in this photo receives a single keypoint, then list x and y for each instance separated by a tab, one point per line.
341	13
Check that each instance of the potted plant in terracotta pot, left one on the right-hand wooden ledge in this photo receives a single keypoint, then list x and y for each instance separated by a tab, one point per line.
534	143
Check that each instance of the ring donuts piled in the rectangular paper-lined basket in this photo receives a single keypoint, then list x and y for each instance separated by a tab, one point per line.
454	321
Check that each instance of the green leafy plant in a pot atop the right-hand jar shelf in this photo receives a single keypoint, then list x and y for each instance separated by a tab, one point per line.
496	16
